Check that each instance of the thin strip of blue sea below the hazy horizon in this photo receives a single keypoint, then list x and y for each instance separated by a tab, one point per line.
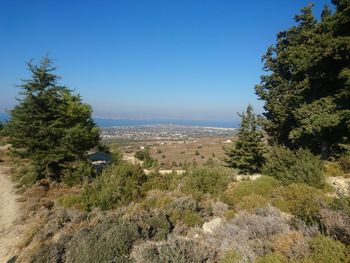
105	123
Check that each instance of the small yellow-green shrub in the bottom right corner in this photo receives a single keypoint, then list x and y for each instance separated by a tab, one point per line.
327	250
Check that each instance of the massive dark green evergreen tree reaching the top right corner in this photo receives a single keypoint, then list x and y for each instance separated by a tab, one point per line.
307	90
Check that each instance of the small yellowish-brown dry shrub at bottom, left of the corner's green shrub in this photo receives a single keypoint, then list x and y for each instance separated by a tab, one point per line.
292	245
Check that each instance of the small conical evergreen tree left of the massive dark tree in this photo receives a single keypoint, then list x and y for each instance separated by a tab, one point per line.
247	154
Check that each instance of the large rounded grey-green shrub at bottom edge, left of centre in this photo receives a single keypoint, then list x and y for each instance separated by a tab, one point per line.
109	241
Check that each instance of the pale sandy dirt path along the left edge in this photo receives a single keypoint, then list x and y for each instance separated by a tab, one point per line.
9	215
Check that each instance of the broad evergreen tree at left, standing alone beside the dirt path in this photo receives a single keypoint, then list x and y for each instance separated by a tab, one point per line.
50	125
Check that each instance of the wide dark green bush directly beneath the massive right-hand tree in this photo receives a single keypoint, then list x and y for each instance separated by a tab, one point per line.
299	166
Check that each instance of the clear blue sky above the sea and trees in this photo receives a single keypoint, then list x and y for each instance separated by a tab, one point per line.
187	59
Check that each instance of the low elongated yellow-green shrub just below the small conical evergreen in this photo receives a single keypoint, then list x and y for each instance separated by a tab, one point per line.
263	186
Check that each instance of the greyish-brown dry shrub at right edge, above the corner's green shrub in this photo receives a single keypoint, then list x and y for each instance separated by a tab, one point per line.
336	224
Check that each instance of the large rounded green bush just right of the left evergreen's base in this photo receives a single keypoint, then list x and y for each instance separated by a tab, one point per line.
117	185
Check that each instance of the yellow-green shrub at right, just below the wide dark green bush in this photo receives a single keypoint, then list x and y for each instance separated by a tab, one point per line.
301	200
